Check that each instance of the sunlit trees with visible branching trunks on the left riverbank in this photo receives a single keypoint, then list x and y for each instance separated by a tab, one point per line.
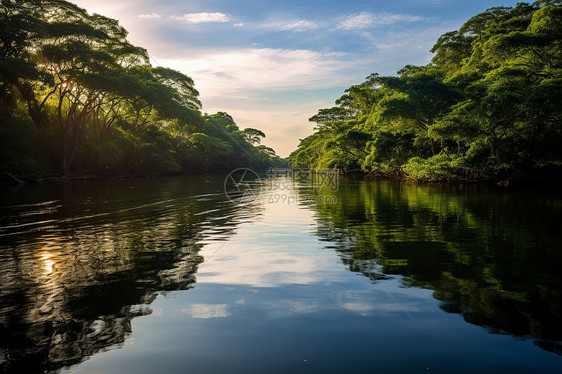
77	97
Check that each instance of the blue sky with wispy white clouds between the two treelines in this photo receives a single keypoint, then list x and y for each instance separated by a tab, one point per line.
272	64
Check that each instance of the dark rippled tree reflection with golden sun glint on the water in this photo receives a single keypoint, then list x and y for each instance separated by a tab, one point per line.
80	260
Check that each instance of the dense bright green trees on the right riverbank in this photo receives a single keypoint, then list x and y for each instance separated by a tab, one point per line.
489	105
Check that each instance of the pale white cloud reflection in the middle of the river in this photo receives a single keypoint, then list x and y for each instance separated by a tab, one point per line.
280	249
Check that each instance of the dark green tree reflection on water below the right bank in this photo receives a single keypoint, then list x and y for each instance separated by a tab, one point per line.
492	256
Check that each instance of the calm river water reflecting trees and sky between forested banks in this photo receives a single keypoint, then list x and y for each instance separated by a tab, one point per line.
170	276
